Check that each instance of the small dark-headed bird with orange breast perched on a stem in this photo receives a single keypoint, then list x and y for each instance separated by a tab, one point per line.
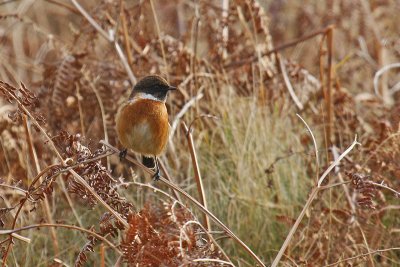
142	121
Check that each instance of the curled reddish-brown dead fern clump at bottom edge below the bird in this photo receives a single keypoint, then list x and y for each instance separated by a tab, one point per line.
165	235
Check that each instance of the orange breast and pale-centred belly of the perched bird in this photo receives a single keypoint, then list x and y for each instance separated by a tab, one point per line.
142	125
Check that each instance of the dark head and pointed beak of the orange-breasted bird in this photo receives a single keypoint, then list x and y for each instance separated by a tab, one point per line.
154	86
